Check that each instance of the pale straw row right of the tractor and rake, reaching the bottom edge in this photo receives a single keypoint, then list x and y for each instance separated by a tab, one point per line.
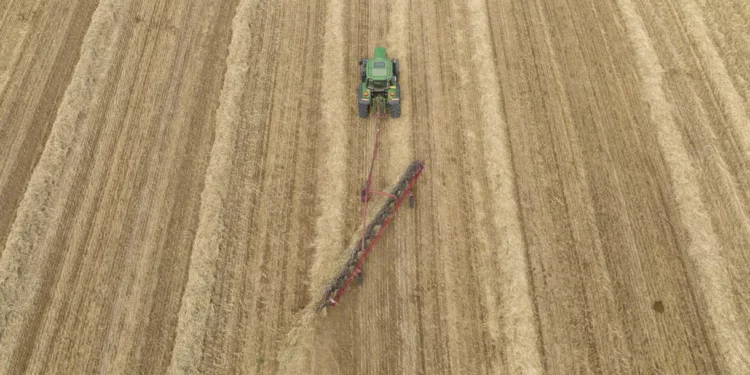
517	312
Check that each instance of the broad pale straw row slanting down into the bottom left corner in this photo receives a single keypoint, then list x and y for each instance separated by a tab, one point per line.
42	204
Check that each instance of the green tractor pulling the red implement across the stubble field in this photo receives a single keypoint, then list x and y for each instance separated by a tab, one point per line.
379	90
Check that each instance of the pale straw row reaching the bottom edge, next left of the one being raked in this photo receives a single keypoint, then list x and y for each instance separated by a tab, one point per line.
188	348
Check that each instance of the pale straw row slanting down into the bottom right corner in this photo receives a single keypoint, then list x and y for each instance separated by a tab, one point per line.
704	247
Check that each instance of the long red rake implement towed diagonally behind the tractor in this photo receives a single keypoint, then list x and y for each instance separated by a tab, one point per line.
372	232
